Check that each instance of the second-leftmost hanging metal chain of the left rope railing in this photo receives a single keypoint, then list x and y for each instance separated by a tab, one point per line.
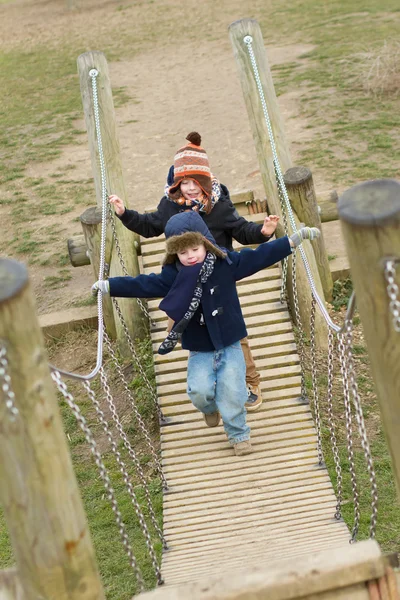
126	478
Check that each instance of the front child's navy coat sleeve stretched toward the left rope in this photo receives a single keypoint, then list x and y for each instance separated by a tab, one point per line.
144	286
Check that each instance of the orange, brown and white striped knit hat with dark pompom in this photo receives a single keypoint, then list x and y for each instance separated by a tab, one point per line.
191	162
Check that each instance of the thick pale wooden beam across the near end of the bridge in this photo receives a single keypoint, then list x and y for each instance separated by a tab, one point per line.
310	575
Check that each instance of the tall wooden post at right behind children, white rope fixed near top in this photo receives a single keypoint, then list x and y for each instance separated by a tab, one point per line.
238	31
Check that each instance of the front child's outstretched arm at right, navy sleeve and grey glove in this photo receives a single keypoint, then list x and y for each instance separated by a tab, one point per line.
250	261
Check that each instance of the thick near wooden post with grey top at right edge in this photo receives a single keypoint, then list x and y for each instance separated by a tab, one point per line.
370	218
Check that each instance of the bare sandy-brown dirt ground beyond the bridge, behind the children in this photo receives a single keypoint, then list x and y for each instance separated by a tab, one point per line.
176	88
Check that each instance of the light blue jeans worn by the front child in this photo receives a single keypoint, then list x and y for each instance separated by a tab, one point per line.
216	381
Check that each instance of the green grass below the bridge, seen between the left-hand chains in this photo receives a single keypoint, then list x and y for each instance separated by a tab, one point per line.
117	575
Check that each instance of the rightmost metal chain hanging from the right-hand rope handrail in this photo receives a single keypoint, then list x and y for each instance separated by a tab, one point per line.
362	429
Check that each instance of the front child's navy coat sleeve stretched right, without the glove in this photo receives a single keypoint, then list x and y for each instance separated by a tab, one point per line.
248	261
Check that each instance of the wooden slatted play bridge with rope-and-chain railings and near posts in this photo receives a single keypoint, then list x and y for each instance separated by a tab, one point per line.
247	519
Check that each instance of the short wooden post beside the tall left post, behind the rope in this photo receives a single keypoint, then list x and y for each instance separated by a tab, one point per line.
91	225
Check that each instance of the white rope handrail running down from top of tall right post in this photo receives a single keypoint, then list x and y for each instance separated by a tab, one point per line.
248	40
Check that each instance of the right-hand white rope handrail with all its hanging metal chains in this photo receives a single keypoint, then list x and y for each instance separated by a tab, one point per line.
345	352
